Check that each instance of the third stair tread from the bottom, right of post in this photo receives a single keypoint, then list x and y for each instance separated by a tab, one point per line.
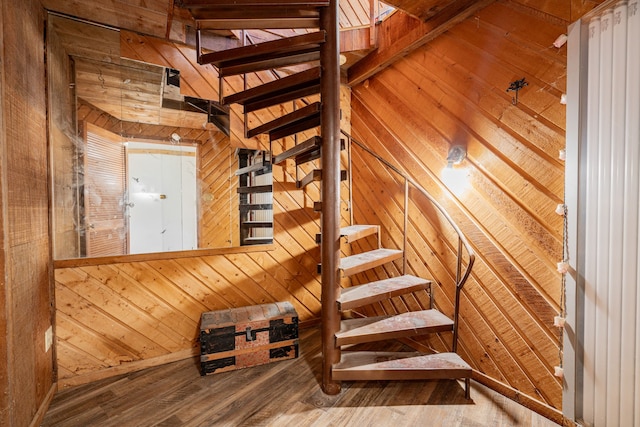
358	296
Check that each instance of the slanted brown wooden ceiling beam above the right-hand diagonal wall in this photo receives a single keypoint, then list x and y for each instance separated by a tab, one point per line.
401	33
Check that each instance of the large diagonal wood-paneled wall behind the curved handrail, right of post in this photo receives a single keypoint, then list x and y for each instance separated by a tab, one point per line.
515	181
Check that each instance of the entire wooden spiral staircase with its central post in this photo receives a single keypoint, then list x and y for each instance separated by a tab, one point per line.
339	364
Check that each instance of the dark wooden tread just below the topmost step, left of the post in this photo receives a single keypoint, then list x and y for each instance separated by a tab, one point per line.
268	55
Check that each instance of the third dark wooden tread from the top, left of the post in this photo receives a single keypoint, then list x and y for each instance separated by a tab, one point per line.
279	91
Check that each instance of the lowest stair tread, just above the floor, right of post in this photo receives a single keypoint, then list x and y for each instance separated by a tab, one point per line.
399	366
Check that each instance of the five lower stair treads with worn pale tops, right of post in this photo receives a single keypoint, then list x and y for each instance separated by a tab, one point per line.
366	365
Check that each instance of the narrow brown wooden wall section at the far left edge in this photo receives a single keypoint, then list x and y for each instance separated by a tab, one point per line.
26	294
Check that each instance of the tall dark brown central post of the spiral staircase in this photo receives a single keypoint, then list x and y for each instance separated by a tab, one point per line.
330	128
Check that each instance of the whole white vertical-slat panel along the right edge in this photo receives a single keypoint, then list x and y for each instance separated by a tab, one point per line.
607	108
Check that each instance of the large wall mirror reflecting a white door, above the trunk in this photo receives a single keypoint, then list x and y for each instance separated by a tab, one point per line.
137	167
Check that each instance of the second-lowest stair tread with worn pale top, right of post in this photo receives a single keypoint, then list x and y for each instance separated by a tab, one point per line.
378	328
